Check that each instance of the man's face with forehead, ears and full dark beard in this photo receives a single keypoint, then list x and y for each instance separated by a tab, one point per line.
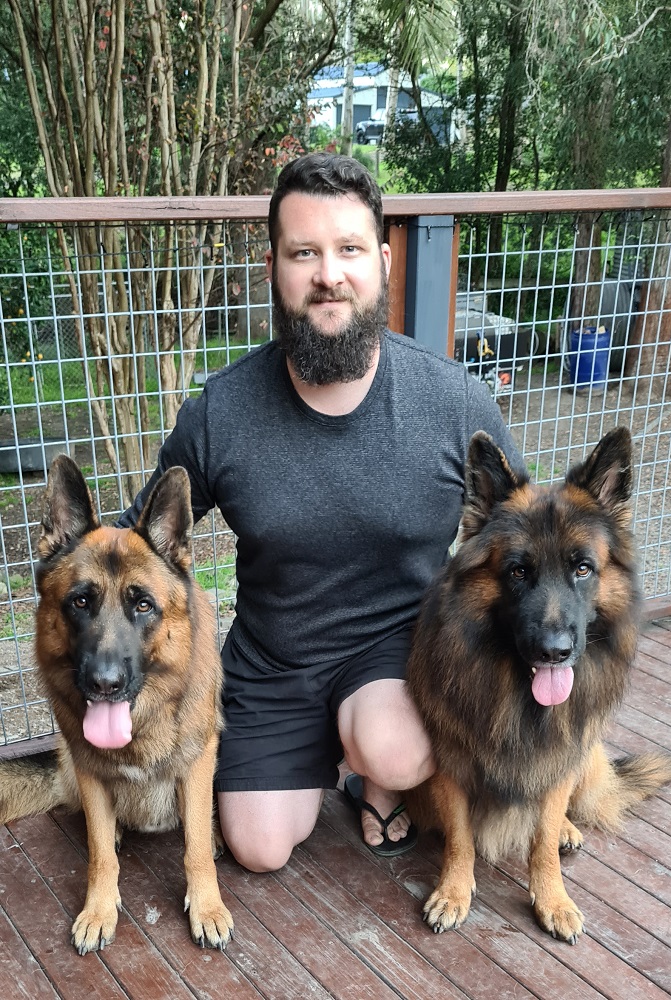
329	279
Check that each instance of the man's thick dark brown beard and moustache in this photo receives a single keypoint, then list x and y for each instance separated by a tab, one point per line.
325	358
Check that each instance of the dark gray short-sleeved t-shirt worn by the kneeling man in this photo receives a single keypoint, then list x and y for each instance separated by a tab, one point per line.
341	521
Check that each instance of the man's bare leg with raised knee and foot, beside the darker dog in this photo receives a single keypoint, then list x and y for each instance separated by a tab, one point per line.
385	742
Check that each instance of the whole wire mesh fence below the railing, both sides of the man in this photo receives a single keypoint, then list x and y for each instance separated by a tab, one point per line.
105	328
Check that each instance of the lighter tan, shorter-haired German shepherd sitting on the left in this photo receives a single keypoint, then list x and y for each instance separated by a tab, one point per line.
126	648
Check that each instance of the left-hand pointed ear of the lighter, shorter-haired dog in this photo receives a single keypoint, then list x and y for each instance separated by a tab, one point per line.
67	511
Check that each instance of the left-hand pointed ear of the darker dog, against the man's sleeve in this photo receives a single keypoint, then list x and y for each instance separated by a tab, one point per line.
489	481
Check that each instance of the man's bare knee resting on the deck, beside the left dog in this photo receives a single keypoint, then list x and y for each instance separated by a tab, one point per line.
261	829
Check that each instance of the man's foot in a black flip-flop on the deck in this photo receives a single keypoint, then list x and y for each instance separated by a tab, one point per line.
387	829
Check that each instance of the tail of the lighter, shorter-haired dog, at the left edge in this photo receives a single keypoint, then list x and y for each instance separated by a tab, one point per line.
30	786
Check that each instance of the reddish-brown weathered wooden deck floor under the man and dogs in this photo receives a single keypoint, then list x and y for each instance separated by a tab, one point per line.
338	923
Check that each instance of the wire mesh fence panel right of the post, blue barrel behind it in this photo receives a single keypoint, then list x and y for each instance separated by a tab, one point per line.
569	322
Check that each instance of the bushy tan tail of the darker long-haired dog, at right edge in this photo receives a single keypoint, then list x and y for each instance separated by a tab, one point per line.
609	788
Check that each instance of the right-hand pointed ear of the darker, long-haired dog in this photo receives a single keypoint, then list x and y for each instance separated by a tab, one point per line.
607	474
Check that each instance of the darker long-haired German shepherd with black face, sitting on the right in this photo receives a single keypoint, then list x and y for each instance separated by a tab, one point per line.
520	657
